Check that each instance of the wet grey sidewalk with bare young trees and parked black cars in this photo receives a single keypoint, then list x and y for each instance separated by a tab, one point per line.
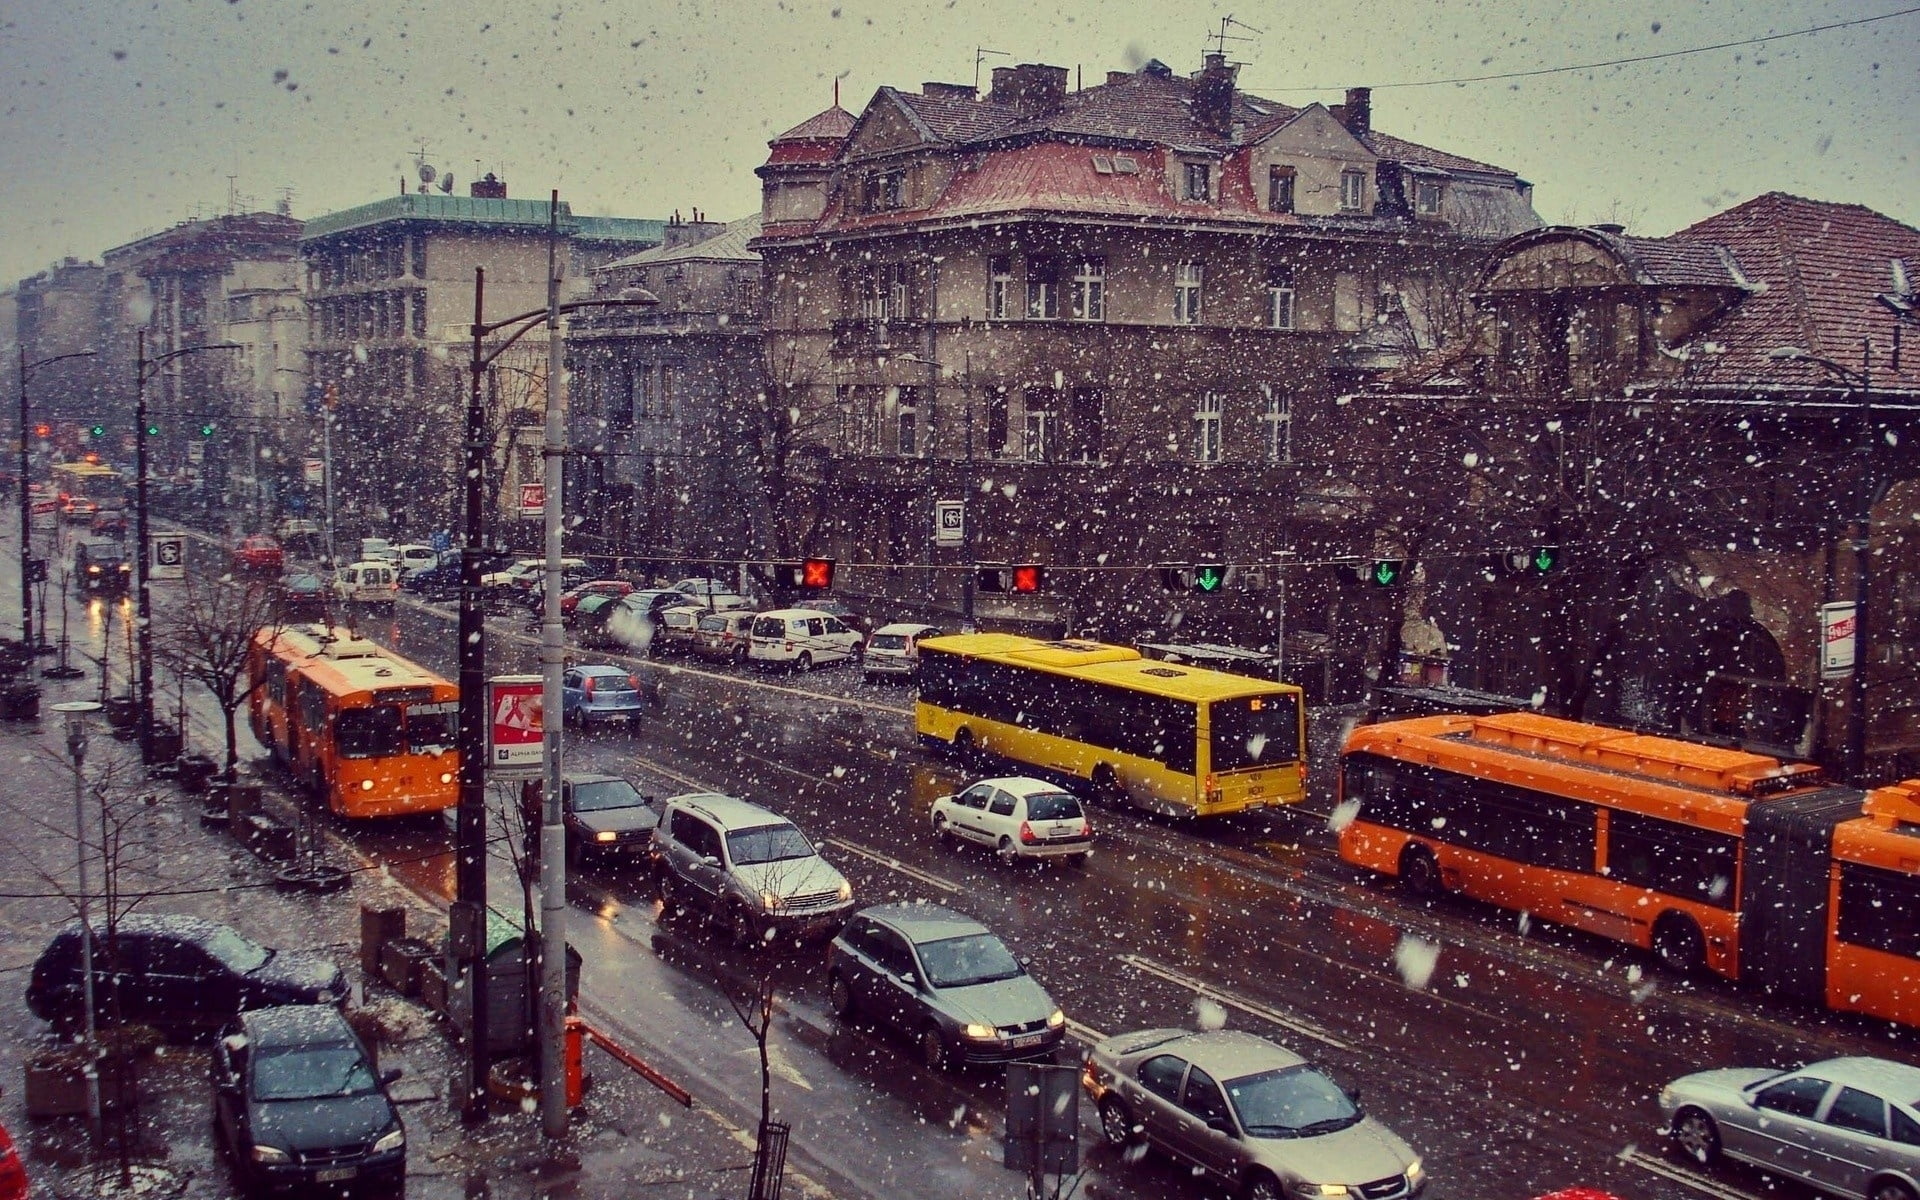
629	1140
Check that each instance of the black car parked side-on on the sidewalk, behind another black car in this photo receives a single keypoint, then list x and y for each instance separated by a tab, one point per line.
181	974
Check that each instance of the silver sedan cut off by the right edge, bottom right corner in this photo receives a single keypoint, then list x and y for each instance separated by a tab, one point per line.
1846	1126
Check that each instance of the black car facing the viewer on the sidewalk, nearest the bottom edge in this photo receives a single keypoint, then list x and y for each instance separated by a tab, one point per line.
297	1103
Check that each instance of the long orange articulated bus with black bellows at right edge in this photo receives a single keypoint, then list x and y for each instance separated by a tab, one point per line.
1714	859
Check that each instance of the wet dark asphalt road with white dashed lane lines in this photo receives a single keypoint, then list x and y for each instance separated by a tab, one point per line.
1516	1059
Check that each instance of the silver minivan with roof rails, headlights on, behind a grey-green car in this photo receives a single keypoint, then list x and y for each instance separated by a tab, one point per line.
746	867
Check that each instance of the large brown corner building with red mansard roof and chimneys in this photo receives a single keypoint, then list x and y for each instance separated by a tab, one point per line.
1115	320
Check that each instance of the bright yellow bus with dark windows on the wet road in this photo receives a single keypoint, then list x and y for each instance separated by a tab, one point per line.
1176	740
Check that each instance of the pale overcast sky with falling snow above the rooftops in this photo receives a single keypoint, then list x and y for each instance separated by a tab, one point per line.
128	116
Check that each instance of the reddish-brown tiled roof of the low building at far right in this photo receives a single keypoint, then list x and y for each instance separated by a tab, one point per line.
1819	270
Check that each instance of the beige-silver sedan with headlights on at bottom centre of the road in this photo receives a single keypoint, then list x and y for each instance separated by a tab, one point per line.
1249	1113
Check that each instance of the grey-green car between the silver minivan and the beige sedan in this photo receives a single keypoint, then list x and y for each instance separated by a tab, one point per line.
944	980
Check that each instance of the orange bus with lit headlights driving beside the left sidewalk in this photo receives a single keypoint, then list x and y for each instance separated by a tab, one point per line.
372	732
